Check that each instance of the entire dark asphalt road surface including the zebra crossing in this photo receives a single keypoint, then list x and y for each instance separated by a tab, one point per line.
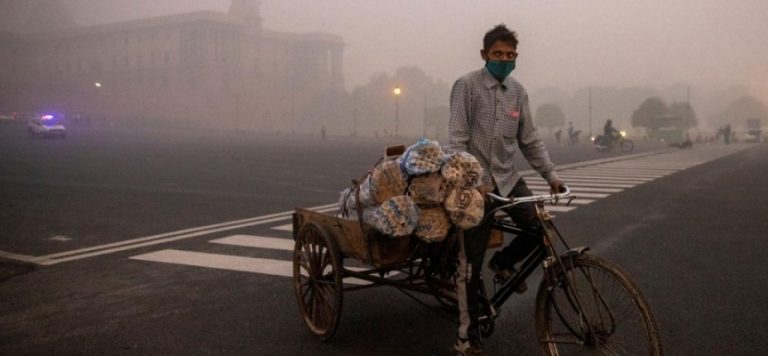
686	224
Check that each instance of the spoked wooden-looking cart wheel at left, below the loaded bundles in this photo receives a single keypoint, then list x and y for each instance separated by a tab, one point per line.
317	280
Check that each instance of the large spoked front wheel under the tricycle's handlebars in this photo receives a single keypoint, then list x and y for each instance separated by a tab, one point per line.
593	308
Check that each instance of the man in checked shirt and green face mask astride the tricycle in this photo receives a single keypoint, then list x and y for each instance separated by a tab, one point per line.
490	118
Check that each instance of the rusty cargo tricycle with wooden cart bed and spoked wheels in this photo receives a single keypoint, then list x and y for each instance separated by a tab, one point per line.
584	303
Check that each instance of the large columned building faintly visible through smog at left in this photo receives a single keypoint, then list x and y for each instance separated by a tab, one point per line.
202	69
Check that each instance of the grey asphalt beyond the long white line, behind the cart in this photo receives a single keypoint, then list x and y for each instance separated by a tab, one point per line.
101	186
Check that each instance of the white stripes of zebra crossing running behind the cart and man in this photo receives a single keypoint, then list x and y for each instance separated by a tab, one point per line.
589	182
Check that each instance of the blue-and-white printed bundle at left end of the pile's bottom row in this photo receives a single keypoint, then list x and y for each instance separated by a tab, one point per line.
396	217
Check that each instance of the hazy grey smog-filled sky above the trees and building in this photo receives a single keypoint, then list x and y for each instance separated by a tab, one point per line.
563	43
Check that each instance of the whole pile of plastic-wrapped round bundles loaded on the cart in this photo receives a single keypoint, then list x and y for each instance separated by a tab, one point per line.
422	192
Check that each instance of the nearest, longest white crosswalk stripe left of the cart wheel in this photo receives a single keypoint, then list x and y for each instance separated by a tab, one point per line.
271	267
